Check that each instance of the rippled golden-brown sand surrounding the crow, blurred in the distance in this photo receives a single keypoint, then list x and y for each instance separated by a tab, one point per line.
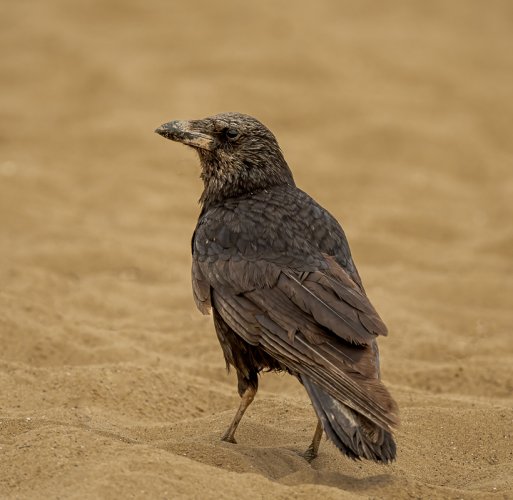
396	116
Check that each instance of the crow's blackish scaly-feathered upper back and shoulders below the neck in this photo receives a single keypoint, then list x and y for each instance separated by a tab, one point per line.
282	225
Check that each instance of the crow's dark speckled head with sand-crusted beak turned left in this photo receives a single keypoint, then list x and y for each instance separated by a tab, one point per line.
238	154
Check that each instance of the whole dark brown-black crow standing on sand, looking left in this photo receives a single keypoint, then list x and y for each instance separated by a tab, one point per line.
276	271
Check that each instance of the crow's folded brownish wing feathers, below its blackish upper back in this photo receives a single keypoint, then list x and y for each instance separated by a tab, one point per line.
317	323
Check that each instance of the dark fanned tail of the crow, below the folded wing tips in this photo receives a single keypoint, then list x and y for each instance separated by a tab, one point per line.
352	433
